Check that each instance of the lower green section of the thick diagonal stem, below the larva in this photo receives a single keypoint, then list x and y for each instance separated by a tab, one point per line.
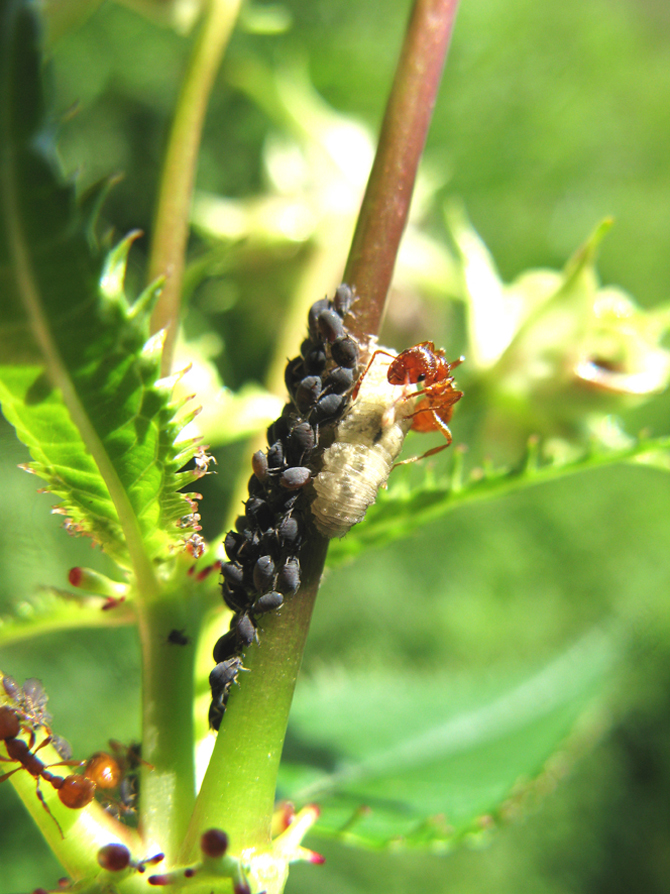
238	790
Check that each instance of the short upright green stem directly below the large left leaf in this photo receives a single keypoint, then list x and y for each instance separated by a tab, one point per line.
168	777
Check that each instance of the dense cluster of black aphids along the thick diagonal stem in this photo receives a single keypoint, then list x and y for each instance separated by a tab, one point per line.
263	566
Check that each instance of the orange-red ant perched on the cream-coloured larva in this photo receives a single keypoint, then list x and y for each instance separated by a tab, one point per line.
426	364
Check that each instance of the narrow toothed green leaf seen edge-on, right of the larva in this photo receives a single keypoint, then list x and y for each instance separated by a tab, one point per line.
401	510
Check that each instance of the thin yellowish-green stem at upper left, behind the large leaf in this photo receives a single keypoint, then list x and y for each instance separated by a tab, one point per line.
170	232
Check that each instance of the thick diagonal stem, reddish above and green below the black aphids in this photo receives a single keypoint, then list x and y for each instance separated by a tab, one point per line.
238	791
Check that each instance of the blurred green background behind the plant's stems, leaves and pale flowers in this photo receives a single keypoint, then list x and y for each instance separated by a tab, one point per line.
550	117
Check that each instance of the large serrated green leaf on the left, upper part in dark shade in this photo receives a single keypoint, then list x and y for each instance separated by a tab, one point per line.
79	375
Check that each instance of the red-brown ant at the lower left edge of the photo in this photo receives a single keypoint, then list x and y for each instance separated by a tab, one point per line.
73	791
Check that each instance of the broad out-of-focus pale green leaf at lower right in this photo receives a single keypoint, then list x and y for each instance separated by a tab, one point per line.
416	761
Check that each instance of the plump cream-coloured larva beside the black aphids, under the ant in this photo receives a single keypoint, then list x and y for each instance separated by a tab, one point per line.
367	442
